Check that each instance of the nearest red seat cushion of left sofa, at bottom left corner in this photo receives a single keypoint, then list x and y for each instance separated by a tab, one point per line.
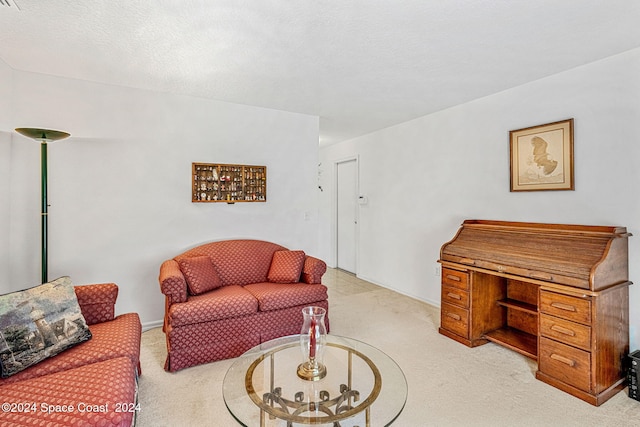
99	394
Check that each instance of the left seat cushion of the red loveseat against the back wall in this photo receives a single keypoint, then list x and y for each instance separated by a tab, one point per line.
227	301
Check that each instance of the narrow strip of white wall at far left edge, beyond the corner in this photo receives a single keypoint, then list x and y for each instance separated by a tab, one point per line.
6	76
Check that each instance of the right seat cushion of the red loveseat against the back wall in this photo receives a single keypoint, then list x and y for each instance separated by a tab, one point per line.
276	296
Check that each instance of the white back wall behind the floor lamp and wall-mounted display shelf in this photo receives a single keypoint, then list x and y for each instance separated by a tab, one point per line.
120	187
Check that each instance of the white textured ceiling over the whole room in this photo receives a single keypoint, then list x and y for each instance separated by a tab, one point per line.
361	65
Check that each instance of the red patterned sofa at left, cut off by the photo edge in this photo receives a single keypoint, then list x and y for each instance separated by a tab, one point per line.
91	384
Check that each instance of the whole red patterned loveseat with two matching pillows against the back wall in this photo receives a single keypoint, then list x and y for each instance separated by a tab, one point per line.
224	297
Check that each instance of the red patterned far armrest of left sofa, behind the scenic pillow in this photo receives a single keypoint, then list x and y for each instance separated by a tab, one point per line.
97	301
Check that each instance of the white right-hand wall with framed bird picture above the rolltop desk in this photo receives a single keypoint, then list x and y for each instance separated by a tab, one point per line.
424	177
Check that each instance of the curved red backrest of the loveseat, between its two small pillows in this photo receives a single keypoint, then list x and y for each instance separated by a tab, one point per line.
238	262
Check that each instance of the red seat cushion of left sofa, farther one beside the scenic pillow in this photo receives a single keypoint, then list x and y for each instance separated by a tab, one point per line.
117	338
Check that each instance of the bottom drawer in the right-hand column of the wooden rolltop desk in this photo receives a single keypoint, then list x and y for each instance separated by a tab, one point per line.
565	363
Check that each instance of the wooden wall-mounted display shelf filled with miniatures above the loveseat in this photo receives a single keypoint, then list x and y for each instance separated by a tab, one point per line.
213	182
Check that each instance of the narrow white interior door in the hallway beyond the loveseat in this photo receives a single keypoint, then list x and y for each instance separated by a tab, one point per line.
347	214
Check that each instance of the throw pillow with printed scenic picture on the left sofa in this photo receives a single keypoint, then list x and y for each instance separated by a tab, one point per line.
38	323
